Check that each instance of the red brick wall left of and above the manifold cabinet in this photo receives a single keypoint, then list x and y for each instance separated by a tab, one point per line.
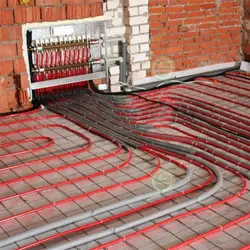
12	16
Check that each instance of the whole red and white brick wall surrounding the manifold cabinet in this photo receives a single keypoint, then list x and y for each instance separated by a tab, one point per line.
162	35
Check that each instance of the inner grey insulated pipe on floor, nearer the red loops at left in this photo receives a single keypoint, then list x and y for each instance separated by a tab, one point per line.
84	216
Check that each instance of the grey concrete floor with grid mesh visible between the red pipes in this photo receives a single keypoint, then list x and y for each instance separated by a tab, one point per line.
163	237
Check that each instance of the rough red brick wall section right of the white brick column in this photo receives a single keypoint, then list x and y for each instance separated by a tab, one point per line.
193	33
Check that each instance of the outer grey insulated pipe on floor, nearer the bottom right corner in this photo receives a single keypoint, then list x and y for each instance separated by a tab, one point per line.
145	219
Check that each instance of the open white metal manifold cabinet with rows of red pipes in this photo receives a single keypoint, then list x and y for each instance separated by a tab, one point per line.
66	54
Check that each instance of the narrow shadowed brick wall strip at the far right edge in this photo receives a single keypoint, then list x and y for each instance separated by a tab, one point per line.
246	35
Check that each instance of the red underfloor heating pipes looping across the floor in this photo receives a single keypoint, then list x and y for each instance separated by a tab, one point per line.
147	115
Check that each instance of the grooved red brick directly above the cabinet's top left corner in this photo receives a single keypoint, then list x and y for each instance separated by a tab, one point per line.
27	14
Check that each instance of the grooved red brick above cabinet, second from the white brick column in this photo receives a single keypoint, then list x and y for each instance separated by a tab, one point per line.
78	11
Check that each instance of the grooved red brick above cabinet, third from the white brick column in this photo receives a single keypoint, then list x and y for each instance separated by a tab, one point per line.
54	13
